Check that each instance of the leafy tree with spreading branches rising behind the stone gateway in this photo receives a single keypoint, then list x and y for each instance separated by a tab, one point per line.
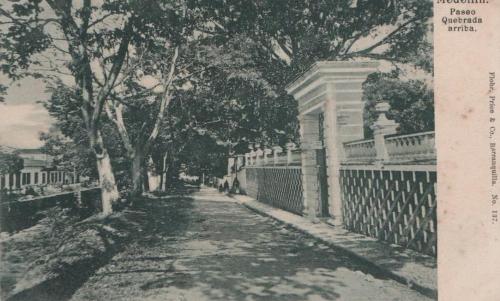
285	37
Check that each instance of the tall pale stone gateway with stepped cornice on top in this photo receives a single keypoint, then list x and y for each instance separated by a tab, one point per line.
334	89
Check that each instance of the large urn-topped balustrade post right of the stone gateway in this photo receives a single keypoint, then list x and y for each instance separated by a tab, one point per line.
381	128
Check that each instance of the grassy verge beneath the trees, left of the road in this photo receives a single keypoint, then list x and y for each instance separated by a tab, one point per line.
61	251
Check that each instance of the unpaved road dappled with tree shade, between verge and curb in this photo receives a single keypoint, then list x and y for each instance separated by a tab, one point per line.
211	248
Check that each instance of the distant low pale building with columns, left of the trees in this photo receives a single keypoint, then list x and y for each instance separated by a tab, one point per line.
38	170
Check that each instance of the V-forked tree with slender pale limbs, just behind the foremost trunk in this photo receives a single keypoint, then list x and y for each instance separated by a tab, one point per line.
144	109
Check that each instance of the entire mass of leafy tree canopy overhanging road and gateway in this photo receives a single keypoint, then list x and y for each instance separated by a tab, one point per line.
131	78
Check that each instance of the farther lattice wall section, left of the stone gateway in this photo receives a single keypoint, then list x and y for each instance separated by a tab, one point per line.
280	187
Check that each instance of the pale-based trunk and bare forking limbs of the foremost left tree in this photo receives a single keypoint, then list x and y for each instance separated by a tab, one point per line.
91	107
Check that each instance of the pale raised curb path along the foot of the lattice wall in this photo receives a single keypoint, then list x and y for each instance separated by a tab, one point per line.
419	276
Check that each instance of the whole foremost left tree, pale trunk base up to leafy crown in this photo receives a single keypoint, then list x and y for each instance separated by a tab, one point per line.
84	45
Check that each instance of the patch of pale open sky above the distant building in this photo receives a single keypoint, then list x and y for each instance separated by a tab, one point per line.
21	117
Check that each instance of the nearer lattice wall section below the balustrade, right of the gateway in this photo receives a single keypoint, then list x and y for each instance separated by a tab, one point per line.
395	206
